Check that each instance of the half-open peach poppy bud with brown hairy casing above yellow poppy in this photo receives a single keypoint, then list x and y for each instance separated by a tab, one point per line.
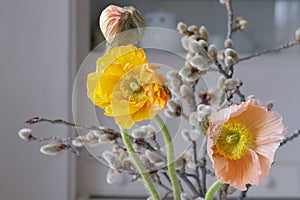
115	20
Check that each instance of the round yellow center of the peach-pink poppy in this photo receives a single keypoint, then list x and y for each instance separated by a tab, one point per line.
234	140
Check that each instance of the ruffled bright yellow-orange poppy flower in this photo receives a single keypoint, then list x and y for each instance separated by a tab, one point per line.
127	86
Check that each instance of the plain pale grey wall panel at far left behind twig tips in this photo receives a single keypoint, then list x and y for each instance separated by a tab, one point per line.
34	81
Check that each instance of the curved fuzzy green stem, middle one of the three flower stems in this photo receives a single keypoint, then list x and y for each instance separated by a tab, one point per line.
170	157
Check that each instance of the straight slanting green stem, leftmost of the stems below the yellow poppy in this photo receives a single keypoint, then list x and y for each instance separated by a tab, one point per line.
138	163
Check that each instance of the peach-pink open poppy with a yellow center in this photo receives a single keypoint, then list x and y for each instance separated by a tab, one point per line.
242	140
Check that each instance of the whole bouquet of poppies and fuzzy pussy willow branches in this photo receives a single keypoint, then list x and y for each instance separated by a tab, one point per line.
237	135
